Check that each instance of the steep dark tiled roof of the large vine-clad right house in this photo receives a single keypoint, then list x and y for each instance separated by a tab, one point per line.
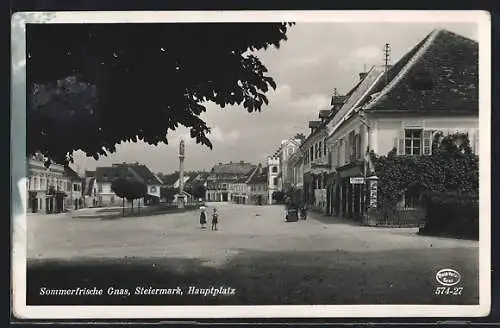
439	73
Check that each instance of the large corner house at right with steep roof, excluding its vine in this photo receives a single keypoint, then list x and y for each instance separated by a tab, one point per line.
433	88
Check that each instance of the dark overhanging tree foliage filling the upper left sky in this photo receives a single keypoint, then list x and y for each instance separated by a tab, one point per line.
151	78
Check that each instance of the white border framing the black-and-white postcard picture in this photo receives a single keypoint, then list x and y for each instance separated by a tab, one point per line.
19	165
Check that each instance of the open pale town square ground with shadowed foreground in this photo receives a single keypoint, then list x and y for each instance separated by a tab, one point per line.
267	260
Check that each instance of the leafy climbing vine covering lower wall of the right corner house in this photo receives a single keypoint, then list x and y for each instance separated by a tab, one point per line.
451	167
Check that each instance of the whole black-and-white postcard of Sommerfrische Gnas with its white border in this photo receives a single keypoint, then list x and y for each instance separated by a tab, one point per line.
250	164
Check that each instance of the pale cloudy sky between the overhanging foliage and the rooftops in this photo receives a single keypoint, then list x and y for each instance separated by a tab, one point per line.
316	59
